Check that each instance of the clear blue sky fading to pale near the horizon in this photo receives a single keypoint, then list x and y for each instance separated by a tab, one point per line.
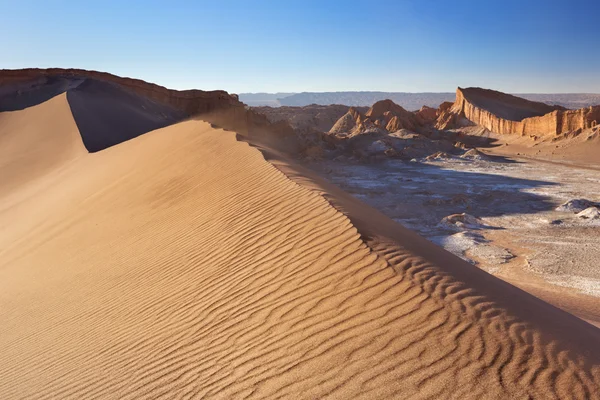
270	46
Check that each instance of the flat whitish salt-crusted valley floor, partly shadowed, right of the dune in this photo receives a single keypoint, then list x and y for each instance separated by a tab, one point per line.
521	238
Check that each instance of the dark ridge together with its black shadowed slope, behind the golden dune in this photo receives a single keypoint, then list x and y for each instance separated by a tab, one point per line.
110	109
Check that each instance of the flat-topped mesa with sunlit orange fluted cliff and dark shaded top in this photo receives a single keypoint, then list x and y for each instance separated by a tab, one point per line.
506	114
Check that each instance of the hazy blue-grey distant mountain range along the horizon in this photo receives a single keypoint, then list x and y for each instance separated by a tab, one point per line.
410	101
